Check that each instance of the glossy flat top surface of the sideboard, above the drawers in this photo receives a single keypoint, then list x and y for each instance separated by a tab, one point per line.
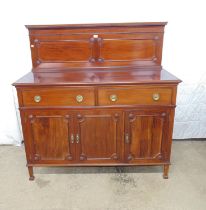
97	78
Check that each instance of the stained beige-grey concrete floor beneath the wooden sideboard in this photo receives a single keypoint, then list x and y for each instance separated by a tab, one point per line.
106	188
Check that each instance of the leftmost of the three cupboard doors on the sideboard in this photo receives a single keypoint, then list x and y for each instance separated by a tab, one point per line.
51	136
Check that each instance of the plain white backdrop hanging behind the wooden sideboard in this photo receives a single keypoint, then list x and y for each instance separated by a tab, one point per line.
184	49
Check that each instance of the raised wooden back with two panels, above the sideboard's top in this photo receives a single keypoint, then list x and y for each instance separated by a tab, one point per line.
62	47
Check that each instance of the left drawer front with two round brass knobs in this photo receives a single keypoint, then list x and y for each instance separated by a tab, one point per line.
59	97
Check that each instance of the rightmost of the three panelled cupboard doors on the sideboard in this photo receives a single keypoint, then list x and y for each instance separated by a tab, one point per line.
145	135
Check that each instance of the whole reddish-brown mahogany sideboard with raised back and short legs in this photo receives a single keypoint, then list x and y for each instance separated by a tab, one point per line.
97	96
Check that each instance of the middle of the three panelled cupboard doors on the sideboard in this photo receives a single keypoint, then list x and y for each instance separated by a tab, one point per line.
98	136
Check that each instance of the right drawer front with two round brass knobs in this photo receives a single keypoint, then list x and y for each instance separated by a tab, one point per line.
135	95
